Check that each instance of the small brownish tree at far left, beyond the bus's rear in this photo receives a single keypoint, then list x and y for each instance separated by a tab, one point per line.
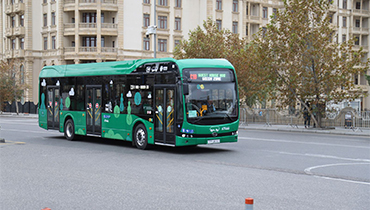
10	88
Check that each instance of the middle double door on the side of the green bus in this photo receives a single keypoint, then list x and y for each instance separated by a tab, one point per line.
93	109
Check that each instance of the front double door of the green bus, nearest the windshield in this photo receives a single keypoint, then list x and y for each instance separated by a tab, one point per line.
164	119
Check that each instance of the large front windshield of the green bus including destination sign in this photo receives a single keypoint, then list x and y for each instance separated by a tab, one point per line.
211	99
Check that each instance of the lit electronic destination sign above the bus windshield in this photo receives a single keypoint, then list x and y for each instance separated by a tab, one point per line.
210	75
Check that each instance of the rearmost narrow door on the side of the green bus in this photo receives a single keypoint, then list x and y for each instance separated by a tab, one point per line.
53	107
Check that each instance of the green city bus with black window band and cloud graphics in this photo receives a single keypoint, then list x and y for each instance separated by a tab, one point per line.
154	101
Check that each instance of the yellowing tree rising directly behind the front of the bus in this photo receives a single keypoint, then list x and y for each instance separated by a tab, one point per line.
211	42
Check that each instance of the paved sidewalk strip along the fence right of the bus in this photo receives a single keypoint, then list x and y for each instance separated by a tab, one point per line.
301	128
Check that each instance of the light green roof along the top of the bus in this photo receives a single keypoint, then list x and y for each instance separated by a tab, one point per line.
125	67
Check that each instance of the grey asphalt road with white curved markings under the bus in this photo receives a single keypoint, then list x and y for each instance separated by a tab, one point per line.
278	170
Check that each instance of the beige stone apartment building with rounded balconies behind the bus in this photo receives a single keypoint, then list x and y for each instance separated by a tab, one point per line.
57	32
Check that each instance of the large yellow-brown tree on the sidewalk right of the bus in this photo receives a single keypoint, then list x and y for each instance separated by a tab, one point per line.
306	63
